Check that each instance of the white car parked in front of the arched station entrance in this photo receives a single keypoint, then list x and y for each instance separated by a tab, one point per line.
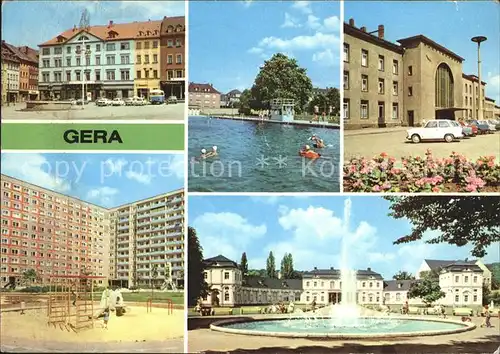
436	129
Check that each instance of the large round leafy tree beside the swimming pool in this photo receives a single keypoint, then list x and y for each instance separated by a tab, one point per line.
281	77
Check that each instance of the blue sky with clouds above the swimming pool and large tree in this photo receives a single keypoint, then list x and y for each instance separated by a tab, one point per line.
229	41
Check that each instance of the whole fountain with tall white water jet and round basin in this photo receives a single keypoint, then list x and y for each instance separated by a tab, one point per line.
346	319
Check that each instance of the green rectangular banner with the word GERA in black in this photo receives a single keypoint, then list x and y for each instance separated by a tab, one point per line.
92	136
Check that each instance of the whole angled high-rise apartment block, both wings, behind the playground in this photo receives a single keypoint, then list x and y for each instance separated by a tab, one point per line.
56	234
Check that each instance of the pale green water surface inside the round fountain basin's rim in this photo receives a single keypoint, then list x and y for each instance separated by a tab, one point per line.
335	325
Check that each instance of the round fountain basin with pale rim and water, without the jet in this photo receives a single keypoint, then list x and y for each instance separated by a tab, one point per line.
334	328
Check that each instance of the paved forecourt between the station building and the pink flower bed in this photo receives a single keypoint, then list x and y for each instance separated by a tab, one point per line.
392	141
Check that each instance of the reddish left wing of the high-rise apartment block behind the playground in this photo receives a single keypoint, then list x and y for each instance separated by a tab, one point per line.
50	232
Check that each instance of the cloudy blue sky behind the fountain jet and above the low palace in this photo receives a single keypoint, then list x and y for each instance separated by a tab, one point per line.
312	229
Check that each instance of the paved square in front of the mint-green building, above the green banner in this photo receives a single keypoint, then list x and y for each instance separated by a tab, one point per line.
93	112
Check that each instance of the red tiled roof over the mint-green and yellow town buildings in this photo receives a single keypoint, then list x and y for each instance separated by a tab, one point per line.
134	30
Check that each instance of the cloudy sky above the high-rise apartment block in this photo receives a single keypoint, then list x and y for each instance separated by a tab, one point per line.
107	180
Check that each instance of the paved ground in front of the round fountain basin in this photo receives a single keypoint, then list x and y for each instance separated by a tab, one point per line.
479	340
